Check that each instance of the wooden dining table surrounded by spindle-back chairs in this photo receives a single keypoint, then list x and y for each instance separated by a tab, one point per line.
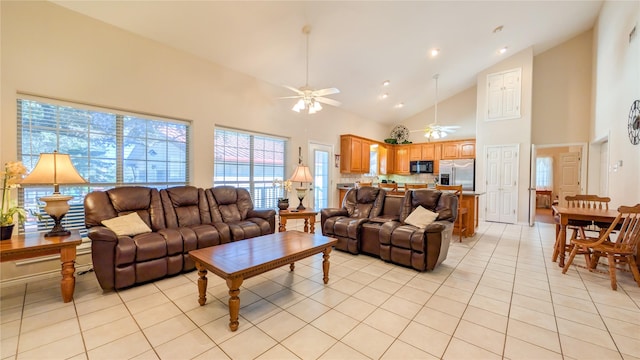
573	213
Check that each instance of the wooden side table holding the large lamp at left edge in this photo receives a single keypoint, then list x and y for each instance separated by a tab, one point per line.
34	245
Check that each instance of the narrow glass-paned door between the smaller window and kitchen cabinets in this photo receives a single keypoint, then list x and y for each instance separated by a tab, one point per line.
320	164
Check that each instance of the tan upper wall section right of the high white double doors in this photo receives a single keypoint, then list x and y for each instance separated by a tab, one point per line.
562	92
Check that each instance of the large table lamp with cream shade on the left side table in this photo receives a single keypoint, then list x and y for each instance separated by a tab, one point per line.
55	168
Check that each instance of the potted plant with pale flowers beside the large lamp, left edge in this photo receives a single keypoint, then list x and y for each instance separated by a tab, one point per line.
11	176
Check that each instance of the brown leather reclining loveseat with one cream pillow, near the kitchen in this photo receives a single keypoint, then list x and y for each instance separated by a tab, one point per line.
384	233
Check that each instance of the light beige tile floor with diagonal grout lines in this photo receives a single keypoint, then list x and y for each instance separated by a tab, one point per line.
497	295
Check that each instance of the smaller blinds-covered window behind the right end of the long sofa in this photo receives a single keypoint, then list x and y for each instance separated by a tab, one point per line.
250	161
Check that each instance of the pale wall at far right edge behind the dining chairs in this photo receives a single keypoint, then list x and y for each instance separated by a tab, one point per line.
616	86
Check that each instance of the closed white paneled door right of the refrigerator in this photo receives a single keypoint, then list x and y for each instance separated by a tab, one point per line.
502	183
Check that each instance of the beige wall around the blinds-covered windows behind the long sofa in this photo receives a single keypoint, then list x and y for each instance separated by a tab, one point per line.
50	51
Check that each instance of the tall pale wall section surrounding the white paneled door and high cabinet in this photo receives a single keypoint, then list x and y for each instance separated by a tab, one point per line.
507	132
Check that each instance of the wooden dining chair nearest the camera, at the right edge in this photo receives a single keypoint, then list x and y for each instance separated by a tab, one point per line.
620	251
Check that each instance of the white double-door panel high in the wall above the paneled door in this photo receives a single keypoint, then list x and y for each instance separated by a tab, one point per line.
503	95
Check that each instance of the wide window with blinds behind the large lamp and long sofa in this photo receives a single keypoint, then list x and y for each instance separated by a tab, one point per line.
108	147
